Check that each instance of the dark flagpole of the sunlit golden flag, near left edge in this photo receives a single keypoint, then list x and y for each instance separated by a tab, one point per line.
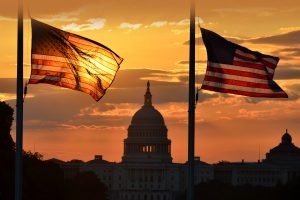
19	120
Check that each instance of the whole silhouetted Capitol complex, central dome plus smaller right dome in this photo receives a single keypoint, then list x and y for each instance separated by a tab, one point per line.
147	172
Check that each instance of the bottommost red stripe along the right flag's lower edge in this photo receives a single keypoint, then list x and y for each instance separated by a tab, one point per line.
250	94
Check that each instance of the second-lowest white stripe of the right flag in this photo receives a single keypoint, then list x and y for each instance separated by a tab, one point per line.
235	77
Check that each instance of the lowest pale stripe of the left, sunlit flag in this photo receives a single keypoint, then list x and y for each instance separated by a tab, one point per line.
65	80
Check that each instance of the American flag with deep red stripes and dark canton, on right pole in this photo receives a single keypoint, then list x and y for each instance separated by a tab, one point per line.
234	69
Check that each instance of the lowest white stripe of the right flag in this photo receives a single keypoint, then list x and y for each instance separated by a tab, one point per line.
241	88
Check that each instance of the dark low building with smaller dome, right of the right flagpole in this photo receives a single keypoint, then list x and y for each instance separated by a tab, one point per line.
281	165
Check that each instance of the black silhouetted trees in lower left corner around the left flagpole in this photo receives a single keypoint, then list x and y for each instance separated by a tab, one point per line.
42	180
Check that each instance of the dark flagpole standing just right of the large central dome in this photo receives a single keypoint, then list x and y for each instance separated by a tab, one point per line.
191	118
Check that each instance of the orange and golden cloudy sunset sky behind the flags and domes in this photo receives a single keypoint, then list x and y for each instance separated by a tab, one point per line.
152	36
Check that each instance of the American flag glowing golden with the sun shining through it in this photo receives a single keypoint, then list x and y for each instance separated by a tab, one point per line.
71	61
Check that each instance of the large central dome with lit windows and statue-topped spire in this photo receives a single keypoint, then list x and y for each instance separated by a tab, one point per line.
147	139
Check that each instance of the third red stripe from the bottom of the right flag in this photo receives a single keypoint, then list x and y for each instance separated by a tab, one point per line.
236	72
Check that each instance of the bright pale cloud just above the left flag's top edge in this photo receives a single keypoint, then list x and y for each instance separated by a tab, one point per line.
93	24
